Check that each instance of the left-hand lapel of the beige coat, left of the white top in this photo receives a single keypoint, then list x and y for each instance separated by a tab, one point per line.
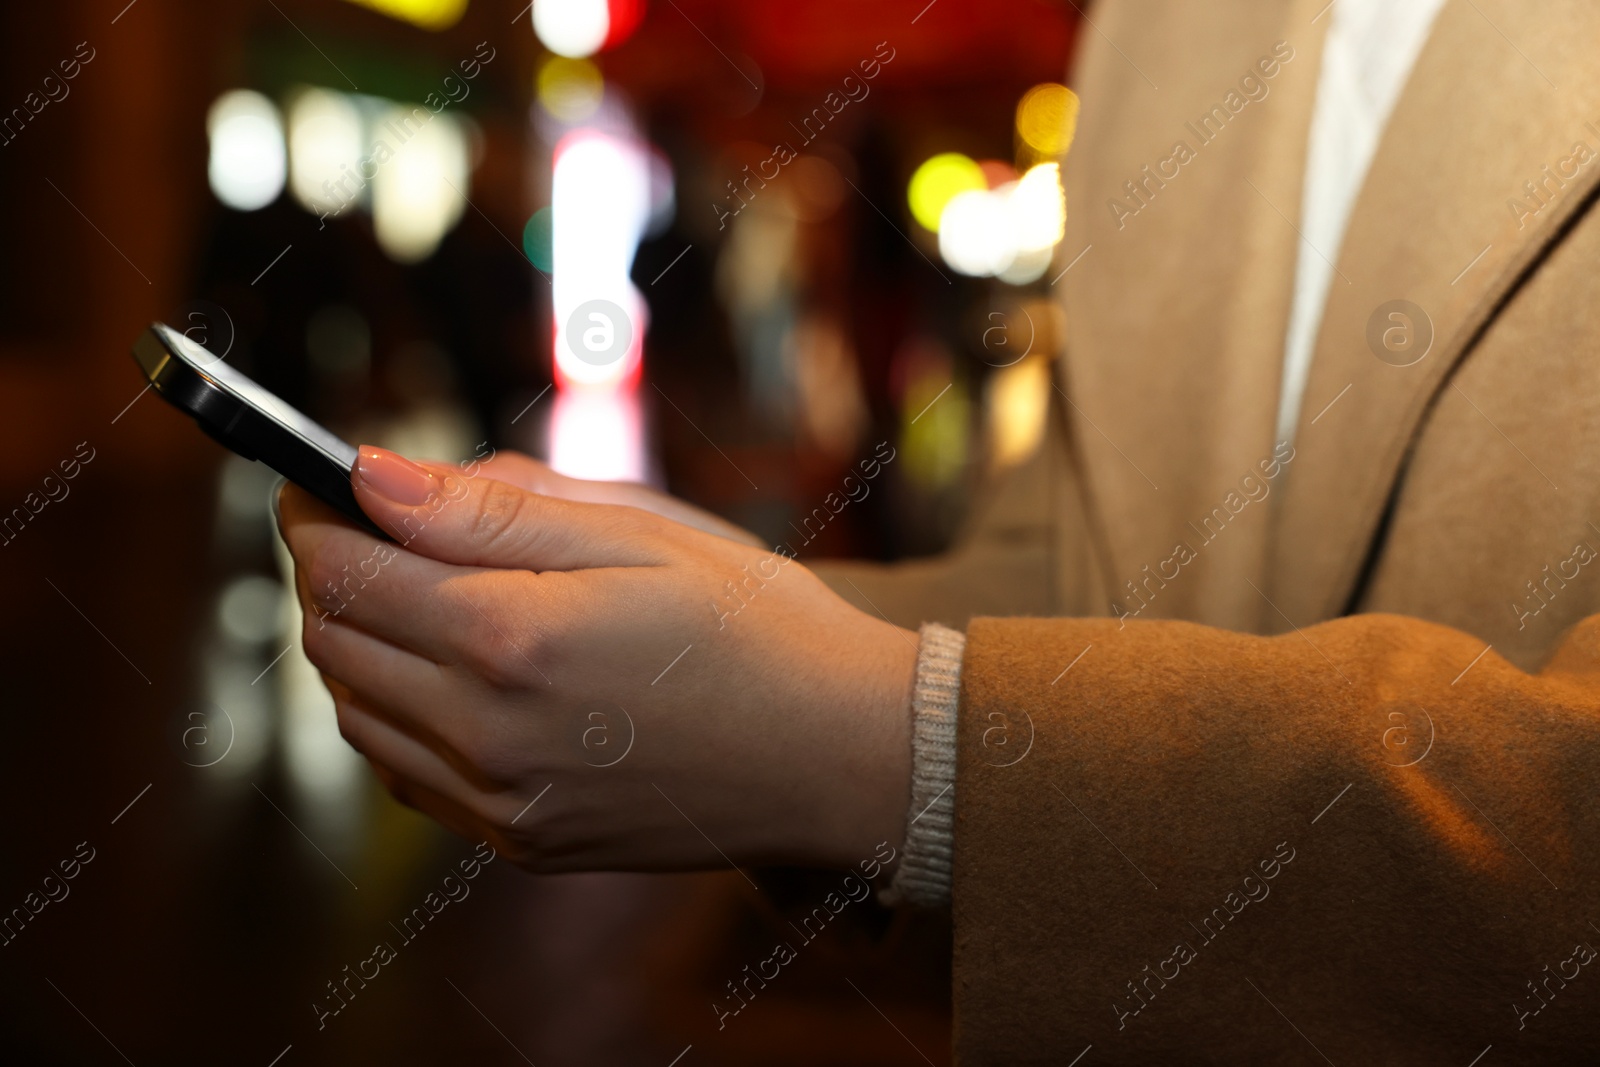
1178	292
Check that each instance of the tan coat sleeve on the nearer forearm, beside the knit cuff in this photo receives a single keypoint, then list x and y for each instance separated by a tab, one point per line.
1374	839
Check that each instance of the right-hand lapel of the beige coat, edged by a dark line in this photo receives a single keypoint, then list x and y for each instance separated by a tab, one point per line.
1449	223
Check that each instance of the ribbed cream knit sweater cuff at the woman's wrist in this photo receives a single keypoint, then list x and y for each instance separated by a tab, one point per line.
924	876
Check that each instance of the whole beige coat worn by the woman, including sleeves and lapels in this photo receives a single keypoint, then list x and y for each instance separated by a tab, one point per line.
1327	789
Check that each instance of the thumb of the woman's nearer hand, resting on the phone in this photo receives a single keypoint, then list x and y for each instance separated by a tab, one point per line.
441	513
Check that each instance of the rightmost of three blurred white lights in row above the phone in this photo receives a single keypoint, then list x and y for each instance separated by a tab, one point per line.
420	193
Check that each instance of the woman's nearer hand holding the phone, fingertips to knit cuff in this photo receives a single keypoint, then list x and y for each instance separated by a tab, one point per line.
596	687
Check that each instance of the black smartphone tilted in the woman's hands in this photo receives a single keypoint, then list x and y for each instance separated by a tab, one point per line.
249	420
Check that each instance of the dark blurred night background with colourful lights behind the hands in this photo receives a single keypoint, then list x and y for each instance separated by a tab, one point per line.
826	225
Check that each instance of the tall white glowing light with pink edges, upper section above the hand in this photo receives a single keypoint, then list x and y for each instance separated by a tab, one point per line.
599	207
